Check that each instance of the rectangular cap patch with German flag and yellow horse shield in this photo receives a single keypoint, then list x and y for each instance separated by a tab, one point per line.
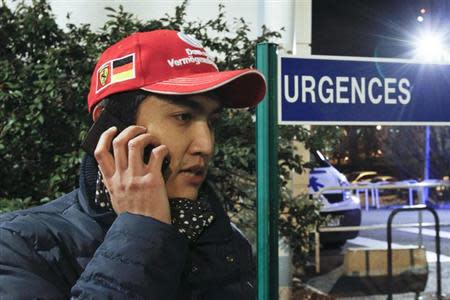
115	70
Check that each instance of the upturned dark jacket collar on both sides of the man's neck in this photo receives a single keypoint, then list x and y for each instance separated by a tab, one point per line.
219	230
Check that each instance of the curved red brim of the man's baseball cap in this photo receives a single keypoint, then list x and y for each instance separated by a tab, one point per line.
237	88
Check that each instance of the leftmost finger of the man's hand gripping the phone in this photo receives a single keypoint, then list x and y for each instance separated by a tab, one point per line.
102	152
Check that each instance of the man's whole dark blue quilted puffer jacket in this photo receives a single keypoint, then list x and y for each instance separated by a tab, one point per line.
66	249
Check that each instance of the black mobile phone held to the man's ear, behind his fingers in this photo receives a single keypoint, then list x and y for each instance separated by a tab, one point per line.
106	121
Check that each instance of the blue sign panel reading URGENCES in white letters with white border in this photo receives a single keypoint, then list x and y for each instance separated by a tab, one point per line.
356	91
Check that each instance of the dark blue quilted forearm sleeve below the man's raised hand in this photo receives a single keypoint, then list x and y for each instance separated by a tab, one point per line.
140	258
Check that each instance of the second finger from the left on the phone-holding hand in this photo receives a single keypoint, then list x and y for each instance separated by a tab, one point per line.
120	145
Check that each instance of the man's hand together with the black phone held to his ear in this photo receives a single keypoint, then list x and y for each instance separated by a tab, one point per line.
134	186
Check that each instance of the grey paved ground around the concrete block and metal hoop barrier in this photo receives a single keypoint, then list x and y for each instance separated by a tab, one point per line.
332	282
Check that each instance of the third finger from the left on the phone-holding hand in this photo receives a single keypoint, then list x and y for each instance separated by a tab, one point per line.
136	150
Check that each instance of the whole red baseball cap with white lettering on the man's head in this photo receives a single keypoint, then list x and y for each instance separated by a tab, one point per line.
173	63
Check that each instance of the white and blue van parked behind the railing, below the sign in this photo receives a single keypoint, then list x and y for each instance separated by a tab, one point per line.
343	206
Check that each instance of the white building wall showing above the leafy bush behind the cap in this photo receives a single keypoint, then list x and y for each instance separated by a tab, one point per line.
274	13
